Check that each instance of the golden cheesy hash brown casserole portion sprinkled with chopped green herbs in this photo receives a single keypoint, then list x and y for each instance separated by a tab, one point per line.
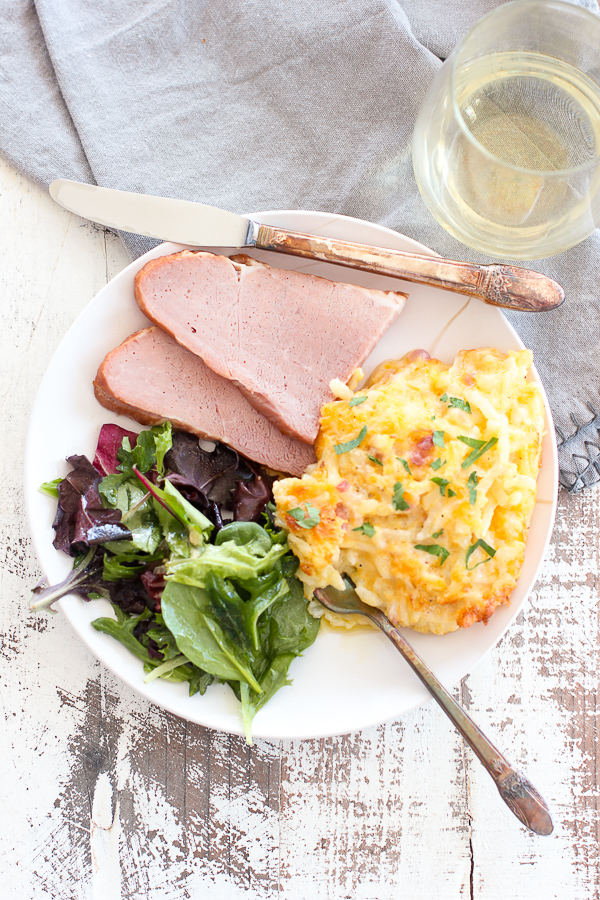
423	490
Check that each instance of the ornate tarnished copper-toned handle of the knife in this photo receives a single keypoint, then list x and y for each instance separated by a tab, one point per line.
497	284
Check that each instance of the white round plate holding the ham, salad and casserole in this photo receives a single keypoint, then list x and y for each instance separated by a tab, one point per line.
345	681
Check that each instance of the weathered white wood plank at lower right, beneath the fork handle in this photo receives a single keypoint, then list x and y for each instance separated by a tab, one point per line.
539	691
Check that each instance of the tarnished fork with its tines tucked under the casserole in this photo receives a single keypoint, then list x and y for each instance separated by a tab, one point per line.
517	792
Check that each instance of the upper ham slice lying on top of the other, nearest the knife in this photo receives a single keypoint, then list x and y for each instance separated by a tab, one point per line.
281	336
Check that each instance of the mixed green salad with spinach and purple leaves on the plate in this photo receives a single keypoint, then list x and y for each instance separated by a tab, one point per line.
181	540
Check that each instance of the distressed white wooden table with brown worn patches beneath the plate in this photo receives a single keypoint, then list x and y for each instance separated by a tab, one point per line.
104	796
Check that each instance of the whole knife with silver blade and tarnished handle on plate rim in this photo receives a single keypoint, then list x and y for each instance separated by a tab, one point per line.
197	225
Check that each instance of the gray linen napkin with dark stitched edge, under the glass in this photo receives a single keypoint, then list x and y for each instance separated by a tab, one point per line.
264	104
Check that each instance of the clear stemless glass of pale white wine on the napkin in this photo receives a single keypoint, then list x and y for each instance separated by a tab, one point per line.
506	148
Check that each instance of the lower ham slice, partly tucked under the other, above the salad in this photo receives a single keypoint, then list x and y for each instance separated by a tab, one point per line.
151	378
